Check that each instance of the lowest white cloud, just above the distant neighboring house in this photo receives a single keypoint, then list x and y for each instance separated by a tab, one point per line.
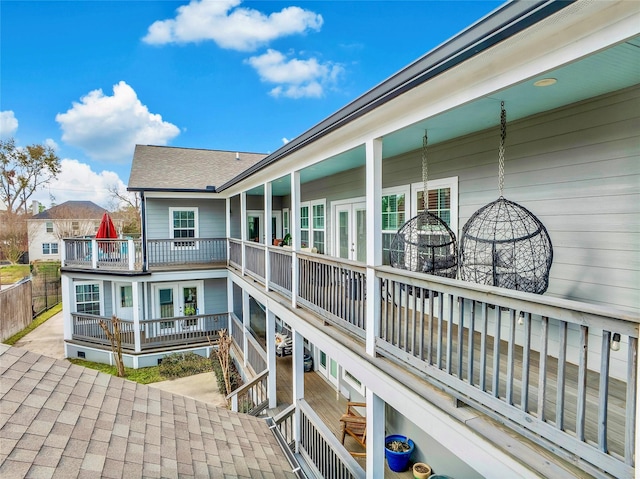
77	181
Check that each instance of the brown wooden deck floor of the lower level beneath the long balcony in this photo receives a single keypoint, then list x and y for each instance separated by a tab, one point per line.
328	404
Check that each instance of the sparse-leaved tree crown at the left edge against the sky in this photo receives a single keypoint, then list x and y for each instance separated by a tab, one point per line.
22	171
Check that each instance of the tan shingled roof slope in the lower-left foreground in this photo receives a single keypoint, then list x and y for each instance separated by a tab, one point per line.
62	420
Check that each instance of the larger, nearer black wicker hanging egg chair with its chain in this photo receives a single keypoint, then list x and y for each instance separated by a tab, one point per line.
503	244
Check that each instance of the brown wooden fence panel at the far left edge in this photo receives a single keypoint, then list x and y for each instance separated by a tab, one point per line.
15	309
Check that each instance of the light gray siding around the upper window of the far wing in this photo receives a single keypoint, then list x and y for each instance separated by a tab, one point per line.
211	216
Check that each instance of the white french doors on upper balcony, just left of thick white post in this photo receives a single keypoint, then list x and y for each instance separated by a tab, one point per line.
351	231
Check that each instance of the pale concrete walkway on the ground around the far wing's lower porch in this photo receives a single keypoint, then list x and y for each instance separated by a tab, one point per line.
48	340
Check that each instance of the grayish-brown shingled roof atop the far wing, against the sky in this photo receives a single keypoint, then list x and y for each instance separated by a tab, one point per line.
183	169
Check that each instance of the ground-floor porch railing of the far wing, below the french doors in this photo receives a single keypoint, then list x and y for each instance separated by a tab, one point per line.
154	333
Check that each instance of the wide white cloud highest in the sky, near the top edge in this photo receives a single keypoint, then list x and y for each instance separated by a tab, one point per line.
243	29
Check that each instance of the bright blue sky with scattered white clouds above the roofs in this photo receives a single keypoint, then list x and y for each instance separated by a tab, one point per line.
94	78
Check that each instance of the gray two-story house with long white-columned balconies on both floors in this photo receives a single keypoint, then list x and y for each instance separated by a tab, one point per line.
488	382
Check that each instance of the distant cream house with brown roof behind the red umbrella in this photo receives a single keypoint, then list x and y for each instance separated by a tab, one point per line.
67	220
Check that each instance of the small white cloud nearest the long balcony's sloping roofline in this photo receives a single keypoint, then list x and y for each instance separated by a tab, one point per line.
296	78
